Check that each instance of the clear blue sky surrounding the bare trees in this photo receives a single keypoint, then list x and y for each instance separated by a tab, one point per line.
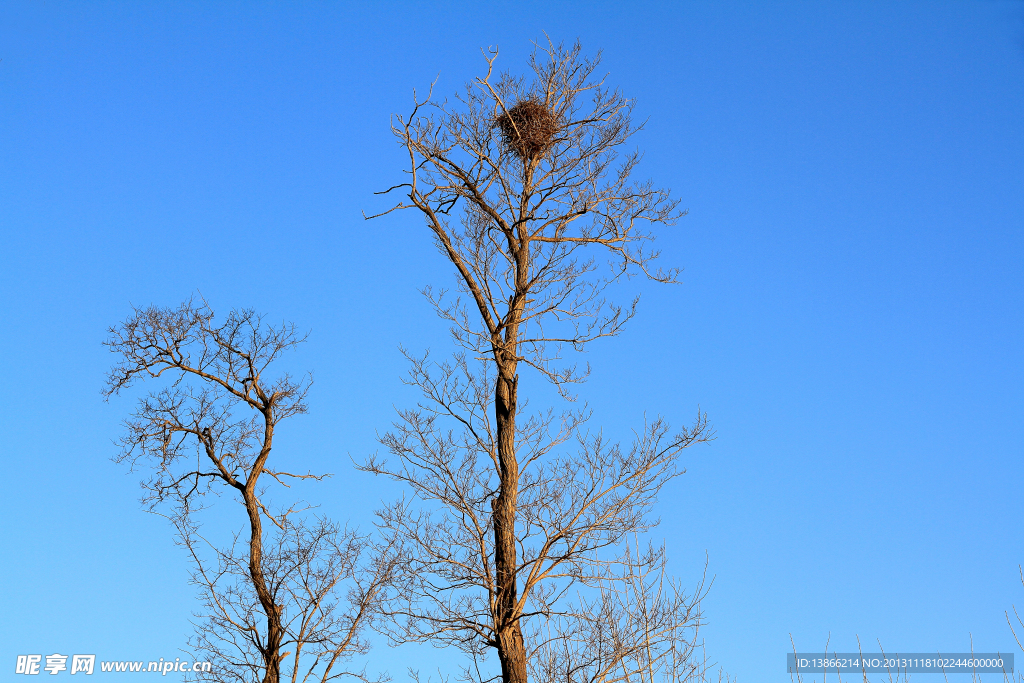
850	315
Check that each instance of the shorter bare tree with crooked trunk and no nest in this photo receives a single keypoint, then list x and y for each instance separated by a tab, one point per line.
288	603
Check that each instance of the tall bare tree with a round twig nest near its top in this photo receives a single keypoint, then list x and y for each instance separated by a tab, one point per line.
523	548
